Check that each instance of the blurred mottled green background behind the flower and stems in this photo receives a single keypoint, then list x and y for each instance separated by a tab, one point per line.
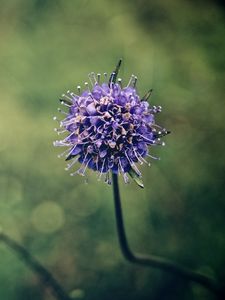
175	47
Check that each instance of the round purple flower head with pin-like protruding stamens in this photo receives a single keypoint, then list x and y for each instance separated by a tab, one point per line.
109	127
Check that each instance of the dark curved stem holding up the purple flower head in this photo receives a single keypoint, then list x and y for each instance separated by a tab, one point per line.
156	261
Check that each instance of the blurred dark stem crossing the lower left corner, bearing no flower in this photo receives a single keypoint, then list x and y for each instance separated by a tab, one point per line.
45	276
